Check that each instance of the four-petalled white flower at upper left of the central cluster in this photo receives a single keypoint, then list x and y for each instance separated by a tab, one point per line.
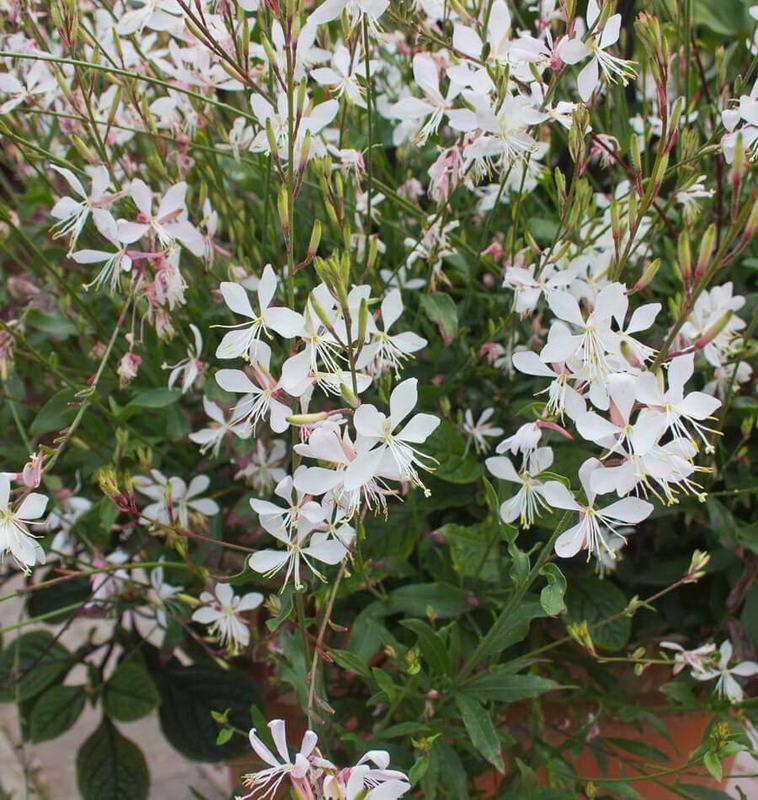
284	321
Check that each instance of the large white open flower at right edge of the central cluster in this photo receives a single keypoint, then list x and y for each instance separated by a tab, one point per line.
395	454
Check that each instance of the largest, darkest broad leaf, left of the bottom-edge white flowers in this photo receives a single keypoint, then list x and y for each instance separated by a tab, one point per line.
189	694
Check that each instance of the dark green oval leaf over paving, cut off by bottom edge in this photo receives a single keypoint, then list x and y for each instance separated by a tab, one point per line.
110	765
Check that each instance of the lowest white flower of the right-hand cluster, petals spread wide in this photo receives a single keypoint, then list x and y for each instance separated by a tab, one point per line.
589	533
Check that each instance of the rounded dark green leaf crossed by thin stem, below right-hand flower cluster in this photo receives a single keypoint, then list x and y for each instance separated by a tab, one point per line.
593	601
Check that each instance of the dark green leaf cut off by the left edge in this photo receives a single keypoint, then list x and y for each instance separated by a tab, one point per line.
29	664
